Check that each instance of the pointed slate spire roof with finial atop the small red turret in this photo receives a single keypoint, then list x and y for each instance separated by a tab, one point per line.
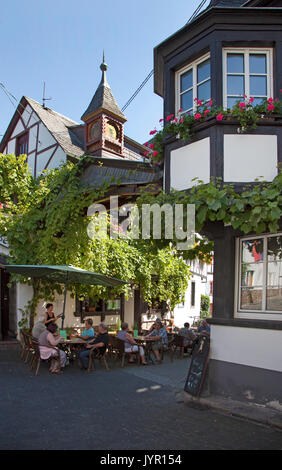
103	98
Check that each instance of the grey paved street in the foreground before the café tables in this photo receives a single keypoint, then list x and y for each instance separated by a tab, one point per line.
130	408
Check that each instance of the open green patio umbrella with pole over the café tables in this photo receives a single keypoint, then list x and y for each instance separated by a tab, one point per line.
65	274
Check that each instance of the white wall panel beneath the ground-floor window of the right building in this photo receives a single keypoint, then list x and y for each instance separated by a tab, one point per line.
247	346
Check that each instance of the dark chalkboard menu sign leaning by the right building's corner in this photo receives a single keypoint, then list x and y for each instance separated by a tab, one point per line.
198	366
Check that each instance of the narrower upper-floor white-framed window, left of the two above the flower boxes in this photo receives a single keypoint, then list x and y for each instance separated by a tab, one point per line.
193	81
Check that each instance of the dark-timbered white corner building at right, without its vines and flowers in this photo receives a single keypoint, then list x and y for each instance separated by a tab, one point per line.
232	48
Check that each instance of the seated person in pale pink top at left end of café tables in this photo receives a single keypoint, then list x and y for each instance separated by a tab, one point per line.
48	341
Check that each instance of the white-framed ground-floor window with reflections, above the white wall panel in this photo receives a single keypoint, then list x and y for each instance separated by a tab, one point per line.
260	274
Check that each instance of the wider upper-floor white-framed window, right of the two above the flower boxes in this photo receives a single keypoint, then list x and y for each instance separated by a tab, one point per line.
246	72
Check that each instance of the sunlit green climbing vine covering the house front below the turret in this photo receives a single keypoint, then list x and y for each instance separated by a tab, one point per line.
45	222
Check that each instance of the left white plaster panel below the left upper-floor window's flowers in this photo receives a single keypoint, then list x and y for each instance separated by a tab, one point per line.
188	162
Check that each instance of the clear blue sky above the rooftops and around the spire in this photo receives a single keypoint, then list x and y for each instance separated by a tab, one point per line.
61	42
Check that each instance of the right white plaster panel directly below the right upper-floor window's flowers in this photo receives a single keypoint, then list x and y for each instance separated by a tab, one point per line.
247	157
